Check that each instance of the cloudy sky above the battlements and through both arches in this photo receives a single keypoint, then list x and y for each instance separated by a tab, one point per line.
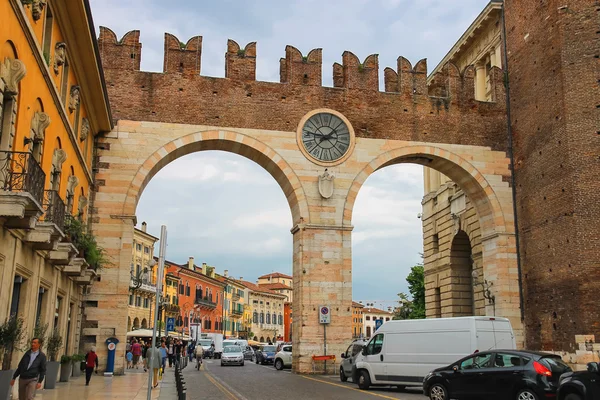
210	201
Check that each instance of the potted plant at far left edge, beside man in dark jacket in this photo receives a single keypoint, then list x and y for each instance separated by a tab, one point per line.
11	336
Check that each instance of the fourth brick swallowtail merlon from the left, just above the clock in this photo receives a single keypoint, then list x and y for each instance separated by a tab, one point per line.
299	70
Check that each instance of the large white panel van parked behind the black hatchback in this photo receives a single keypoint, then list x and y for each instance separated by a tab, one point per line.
402	353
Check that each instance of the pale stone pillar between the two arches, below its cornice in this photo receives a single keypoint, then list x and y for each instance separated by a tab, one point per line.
322	276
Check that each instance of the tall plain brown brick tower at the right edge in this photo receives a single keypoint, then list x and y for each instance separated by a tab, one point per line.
553	49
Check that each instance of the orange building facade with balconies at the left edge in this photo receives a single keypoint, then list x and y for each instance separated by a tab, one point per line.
52	105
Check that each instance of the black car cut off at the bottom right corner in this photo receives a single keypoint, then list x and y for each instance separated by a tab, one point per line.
582	385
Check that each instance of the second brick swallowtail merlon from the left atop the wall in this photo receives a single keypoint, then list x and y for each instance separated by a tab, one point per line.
179	58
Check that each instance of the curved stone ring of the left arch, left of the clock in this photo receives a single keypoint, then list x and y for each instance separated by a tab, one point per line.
230	141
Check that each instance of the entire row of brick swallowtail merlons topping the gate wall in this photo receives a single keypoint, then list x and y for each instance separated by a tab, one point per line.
296	69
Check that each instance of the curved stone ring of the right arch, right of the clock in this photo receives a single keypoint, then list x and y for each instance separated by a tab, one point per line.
457	168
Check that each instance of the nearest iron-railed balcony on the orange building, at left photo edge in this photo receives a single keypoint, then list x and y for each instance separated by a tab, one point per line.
21	189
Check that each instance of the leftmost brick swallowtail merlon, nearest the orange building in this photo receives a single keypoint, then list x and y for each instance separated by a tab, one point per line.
125	54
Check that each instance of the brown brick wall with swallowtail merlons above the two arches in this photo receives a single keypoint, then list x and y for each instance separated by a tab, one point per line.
404	112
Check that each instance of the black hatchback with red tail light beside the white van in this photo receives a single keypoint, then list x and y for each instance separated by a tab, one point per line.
497	374
